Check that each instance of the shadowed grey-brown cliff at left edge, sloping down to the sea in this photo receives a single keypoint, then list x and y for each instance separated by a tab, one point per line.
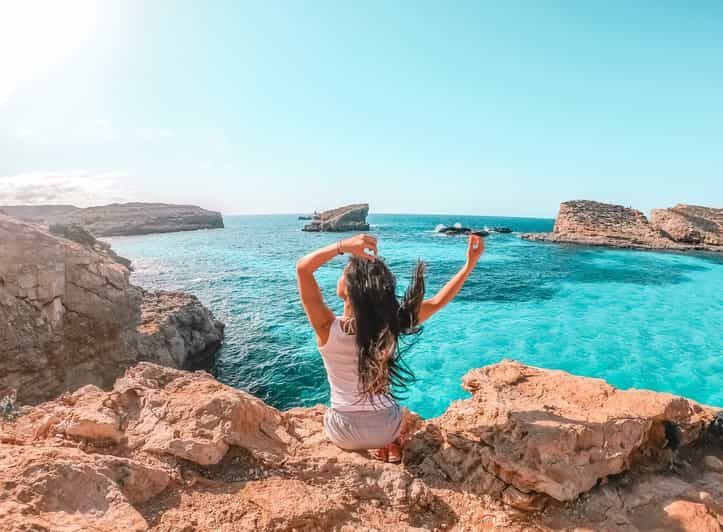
70	317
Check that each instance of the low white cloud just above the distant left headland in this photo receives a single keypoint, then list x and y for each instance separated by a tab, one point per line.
79	187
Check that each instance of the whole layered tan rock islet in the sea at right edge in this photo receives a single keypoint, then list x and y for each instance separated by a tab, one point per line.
681	228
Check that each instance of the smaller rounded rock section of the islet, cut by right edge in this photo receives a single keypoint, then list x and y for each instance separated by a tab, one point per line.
690	224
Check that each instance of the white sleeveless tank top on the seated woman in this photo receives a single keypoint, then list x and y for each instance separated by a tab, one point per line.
341	360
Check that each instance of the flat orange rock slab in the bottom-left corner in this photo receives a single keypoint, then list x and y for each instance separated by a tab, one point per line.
47	488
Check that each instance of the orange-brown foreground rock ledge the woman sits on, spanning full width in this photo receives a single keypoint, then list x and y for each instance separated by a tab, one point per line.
531	449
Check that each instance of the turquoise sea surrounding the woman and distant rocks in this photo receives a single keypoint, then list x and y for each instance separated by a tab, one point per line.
635	318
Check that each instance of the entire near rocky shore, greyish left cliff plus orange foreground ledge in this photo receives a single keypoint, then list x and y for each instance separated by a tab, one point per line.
93	394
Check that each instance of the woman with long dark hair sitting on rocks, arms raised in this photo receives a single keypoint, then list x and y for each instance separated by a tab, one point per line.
360	349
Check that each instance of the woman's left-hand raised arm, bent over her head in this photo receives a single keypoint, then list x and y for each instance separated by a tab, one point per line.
320	316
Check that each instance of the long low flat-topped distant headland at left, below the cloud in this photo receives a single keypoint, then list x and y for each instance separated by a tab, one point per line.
120	219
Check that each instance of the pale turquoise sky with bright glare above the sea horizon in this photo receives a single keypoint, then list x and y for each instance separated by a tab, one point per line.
489	108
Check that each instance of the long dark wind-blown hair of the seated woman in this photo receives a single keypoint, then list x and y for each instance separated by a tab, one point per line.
381	319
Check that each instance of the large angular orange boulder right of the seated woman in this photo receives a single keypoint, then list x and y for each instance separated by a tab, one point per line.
554	433
